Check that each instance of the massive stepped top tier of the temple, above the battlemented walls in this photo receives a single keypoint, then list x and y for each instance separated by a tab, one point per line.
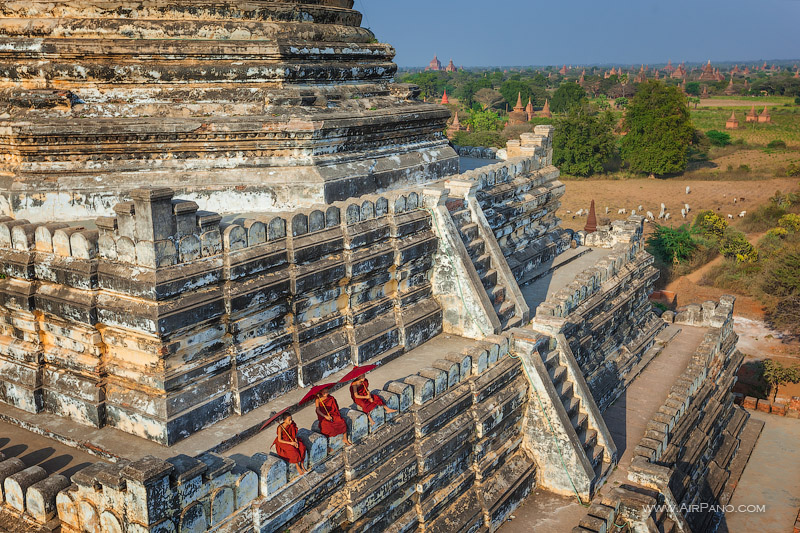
279	104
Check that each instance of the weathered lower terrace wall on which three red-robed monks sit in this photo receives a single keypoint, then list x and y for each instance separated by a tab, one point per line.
450	459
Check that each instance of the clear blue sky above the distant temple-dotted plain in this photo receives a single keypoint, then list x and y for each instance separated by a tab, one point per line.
533	32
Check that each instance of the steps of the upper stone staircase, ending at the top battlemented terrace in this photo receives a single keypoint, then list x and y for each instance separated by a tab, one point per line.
484	265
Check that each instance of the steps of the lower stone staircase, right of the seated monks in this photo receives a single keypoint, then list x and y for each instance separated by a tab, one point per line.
587	433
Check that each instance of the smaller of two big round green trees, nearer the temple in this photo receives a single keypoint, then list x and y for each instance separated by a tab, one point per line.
583	141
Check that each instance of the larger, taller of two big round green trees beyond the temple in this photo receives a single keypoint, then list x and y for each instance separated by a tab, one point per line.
659	130
